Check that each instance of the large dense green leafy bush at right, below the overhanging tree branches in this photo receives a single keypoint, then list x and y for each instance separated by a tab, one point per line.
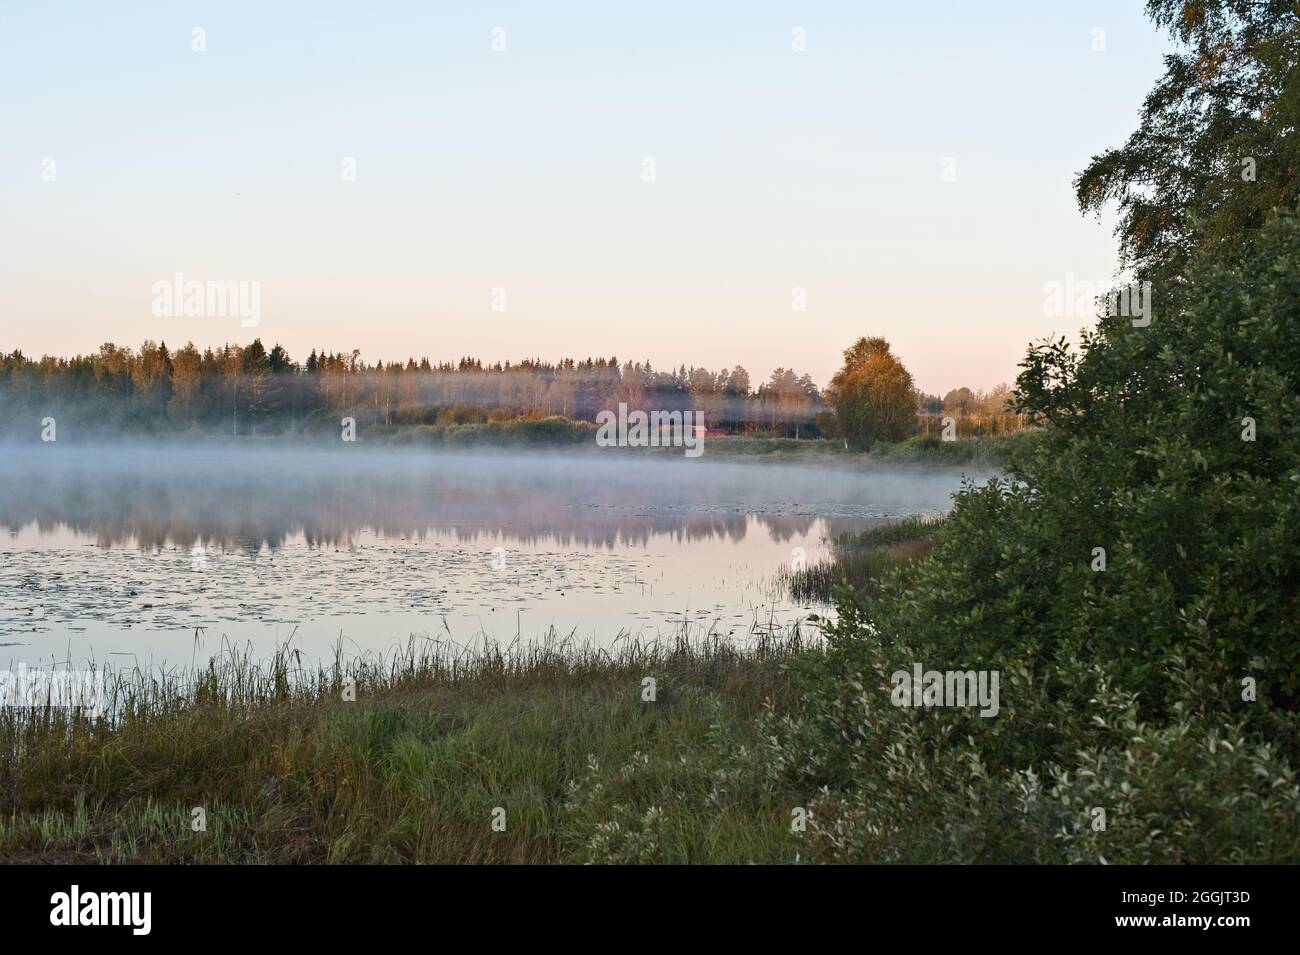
1162	689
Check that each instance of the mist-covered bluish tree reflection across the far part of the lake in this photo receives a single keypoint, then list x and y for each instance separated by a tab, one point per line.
254	500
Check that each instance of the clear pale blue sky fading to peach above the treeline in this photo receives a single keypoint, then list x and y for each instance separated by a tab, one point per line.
722	184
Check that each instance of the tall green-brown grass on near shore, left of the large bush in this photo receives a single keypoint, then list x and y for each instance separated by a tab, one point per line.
288	771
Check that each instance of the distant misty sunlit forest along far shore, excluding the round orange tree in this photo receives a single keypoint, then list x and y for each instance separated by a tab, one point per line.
250	390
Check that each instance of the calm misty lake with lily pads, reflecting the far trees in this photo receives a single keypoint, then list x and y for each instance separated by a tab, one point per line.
163	555
